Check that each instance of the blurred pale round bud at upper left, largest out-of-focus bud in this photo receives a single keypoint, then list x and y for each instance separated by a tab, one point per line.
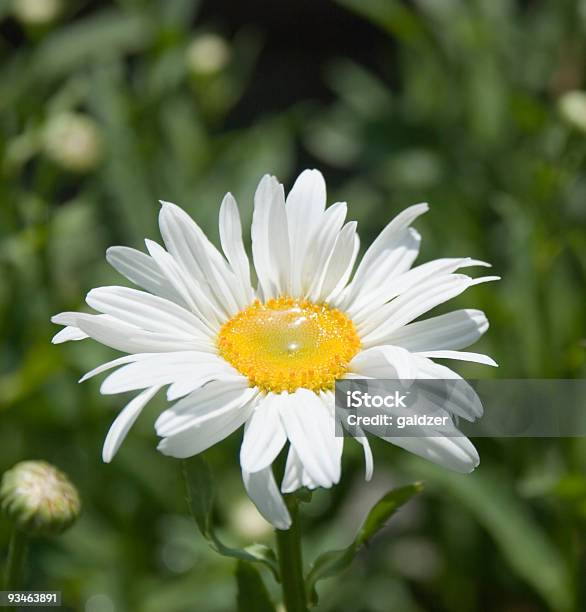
73	141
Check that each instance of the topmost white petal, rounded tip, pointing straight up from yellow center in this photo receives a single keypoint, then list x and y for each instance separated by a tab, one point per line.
305	205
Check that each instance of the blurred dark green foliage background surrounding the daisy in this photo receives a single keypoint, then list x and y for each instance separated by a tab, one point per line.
472	105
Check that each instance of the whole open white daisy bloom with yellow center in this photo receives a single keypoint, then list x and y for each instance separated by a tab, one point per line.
267	358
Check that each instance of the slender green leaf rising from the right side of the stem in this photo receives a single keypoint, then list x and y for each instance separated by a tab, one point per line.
333	562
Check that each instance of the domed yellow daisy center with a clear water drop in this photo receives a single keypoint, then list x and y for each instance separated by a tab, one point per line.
285	344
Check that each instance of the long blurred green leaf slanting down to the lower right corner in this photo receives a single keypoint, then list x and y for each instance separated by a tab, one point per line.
488	496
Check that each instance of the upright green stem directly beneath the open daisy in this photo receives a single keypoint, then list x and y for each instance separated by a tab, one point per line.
290	561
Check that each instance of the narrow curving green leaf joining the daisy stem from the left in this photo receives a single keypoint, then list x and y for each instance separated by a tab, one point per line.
201	493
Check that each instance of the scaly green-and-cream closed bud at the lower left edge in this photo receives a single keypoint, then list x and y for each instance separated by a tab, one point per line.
38	498
